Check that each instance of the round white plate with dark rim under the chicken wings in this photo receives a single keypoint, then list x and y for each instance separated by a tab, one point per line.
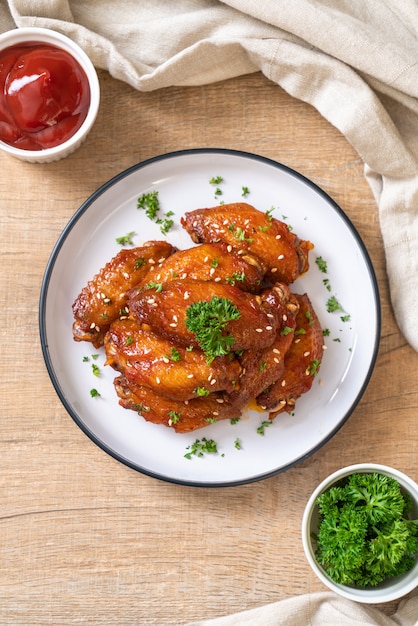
246	452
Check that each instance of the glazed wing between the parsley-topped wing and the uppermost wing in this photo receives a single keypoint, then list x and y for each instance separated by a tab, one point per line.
213	261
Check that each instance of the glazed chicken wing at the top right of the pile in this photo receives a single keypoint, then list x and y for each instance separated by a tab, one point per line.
283	255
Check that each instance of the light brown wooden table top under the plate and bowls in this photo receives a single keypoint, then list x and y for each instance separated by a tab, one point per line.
85	539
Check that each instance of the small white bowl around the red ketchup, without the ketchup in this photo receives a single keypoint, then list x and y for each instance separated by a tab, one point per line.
20	36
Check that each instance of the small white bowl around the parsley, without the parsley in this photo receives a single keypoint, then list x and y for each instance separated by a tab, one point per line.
391	589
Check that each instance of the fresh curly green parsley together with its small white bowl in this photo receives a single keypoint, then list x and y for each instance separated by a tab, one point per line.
360	533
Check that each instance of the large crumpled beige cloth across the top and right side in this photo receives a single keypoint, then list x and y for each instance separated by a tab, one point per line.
355	62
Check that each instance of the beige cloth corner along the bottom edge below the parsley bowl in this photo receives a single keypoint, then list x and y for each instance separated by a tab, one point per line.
320	609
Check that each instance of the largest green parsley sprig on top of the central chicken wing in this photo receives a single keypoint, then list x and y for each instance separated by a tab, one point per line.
207	320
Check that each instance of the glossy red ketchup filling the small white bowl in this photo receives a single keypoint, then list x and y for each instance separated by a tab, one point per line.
44	96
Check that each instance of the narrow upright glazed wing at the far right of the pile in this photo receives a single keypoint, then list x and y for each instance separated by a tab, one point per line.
302	362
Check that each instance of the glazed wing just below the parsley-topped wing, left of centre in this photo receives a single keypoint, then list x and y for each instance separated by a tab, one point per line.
174	372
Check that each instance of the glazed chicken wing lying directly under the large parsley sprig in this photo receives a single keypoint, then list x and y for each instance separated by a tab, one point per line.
165	311
